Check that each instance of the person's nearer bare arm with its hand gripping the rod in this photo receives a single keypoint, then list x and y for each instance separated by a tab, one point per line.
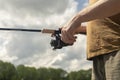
100	9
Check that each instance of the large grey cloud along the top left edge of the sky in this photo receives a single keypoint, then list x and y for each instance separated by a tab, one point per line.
35	7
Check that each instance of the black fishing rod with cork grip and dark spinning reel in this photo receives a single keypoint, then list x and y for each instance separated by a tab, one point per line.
56	43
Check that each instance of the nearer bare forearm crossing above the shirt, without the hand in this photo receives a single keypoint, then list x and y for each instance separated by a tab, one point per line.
100	9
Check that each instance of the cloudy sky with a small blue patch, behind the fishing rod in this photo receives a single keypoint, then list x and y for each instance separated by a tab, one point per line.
33	49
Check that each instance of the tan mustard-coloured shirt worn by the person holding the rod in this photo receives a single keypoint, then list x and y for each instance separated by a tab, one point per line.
103	35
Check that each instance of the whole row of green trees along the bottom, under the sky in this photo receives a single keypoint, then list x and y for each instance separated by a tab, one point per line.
9	72
